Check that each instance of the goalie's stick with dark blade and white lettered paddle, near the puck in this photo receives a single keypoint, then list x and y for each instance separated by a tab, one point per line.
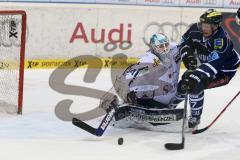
95	131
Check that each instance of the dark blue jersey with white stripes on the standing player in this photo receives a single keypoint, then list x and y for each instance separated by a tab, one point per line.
216	53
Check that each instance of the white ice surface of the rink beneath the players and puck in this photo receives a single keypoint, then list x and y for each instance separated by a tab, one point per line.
38	134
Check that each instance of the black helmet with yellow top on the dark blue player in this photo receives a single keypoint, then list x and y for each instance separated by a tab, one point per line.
211	16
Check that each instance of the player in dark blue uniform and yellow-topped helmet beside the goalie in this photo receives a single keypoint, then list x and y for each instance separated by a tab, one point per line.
209	44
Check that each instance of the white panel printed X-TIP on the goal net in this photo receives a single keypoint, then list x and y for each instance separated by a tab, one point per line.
10	32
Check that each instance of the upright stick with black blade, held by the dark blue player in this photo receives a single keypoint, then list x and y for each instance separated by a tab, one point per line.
178	146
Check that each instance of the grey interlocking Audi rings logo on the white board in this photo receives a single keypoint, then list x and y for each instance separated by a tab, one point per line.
173	31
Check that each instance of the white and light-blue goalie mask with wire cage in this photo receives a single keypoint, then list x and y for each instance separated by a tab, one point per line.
159	43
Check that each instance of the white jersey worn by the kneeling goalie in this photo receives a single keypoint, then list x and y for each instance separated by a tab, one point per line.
150	78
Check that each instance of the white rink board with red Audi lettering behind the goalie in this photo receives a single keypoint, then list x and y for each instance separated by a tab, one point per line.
61	31
